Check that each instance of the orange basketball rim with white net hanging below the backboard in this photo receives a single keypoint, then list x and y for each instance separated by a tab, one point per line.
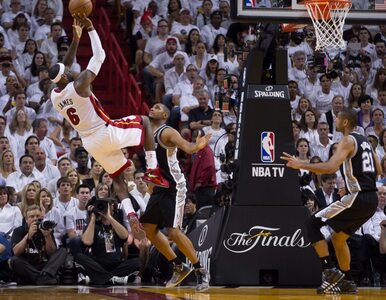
328	18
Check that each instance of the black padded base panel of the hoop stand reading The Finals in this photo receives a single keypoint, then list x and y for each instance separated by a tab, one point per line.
259	247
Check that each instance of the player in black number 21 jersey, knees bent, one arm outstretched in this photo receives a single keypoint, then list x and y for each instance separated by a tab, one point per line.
360	167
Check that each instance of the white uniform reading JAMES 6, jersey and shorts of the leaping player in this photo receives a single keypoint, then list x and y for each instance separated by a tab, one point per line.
102	137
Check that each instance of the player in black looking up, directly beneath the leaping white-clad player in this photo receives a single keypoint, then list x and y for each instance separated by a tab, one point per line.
166	206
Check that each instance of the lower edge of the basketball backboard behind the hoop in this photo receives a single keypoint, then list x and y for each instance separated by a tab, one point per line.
366	12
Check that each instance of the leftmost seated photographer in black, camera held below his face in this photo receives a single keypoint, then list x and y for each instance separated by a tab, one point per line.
36	258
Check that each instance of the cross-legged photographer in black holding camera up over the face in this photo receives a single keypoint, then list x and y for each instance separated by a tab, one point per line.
105	236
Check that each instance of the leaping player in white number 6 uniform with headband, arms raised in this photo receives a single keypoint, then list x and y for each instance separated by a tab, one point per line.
102	137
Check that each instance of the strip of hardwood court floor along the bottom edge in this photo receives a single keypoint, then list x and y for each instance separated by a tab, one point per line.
160	293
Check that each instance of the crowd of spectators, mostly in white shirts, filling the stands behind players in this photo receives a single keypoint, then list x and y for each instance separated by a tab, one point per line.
189	56
